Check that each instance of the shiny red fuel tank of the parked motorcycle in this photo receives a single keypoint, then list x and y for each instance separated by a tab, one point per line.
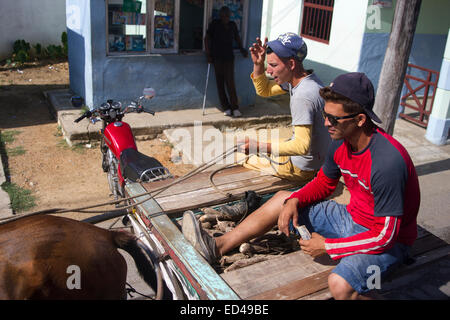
118	137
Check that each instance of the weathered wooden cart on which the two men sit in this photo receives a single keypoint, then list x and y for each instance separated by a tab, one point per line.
291	276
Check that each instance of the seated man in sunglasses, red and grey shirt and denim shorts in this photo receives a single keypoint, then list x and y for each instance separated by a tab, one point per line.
379	225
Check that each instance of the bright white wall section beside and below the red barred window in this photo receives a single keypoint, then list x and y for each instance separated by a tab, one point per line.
347	31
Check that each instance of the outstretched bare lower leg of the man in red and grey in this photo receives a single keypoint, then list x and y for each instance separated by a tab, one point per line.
256	224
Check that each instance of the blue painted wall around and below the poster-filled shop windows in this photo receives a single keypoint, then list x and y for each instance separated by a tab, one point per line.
179	80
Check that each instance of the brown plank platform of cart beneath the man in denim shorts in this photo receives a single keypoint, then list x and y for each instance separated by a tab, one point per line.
296	275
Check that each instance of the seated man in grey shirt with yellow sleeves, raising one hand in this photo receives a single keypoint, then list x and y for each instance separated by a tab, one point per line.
300	157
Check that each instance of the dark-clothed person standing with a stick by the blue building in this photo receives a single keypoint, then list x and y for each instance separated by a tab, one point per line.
219	49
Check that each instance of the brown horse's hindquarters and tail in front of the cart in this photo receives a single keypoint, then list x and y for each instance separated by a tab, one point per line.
49	257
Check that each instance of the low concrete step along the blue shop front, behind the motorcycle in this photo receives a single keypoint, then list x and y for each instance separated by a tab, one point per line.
265	112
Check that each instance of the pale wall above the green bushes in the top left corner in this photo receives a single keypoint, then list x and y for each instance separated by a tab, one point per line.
35	21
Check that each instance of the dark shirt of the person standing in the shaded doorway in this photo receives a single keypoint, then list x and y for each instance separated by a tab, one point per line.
221	38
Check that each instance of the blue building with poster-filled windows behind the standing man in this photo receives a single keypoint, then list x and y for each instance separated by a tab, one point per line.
168	54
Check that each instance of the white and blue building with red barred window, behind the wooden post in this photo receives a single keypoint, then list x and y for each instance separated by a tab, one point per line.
352	35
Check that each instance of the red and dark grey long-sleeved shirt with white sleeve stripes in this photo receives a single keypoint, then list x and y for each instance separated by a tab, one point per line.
384	191
